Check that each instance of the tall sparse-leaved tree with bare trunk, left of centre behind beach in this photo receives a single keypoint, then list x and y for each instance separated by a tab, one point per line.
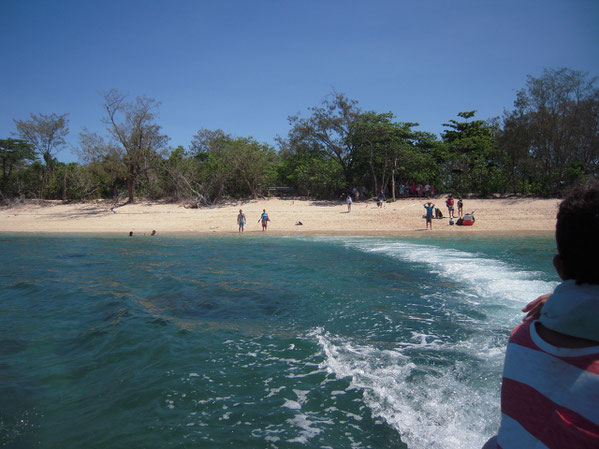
132	126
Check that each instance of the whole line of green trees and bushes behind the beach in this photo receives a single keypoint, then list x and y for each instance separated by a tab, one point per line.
546	143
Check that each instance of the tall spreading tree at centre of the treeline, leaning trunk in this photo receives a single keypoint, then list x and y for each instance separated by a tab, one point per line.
328	129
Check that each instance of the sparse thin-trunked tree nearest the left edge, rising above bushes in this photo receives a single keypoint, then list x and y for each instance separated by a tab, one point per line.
46	134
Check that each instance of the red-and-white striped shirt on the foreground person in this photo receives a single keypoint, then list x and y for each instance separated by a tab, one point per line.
549	395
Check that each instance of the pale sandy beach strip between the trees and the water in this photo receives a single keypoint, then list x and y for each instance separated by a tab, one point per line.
317	217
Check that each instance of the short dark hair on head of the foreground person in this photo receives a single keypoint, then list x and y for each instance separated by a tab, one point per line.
577	233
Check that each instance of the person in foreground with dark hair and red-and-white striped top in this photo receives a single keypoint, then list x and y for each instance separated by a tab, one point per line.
550	388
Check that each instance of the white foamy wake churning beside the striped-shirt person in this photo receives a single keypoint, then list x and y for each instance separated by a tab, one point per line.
436	409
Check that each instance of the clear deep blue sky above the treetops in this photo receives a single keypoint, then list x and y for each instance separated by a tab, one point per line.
245	66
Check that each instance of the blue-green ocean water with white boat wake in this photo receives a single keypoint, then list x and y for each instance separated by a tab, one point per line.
259	341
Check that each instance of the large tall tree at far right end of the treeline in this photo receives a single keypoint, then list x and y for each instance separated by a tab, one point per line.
555	128
